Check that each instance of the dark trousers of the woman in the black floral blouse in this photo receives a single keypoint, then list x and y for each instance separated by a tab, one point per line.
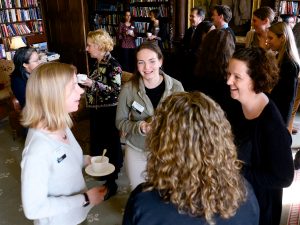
104	135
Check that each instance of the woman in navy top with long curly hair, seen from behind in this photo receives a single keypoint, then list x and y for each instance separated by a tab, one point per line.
193	174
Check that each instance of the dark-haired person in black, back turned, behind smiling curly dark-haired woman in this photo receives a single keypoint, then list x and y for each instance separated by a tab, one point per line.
211	77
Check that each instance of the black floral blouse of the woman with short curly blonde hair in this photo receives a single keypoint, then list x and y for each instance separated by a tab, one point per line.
106	85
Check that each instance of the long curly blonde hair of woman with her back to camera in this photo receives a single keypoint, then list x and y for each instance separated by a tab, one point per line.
192	158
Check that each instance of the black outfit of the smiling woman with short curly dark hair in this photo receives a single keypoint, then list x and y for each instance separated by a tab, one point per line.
268	162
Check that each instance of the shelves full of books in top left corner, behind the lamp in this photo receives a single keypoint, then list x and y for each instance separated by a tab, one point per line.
19	18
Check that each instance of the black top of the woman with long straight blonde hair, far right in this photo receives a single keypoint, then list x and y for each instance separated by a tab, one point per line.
284	92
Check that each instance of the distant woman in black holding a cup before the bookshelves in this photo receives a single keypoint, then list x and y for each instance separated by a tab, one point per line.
158	29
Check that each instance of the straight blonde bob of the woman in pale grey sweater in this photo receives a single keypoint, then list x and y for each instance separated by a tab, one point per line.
45	97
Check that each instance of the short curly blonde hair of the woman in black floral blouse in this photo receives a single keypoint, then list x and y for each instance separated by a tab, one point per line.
102	39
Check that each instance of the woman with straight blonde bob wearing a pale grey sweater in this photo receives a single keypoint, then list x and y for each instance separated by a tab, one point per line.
53	187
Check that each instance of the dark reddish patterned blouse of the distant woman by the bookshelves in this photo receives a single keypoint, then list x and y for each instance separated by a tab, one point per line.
127	41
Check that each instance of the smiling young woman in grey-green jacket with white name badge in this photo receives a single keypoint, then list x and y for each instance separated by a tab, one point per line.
137	102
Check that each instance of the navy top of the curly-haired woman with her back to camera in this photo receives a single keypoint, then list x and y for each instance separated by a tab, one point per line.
147	208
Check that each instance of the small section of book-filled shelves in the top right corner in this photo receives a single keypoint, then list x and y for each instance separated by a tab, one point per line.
288	7
